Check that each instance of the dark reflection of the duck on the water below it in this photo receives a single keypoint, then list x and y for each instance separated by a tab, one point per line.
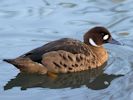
94	79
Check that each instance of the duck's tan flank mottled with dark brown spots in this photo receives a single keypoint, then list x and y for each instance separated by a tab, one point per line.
62	61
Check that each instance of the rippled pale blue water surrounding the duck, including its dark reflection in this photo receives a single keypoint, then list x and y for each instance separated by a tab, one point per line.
26	24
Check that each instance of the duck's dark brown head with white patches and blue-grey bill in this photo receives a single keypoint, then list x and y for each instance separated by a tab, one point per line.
98	36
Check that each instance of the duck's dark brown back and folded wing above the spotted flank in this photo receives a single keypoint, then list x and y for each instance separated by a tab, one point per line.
66	44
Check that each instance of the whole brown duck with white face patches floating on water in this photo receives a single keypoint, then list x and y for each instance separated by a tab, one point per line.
67	55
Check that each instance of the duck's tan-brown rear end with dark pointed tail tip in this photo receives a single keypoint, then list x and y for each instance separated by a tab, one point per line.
27	65
